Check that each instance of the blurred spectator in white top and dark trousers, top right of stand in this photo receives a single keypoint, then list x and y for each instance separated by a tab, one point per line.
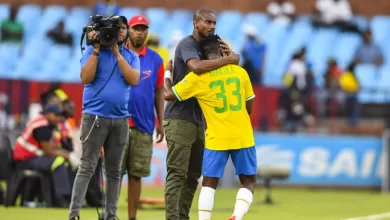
334	14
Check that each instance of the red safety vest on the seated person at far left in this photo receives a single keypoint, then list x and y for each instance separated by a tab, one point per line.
26	146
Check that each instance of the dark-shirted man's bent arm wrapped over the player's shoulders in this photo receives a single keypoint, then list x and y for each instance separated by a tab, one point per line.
195	64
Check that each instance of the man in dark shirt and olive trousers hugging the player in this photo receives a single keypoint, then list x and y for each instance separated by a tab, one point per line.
184	127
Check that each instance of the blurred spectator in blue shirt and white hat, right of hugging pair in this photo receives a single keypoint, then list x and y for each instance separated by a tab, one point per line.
253	55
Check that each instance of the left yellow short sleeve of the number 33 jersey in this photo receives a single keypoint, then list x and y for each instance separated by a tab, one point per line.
187	88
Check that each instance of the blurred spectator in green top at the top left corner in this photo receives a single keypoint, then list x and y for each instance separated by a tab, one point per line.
11	29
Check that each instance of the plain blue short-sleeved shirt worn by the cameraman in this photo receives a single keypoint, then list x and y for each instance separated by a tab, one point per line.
112	100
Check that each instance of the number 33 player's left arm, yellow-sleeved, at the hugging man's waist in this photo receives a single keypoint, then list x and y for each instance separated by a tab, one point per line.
183	90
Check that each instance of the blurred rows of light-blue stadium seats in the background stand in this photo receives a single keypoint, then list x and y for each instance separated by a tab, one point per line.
281	42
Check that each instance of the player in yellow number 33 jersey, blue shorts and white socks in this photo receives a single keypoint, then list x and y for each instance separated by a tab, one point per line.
225	96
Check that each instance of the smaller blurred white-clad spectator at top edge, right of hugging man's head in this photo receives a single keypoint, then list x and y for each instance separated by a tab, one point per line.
281	11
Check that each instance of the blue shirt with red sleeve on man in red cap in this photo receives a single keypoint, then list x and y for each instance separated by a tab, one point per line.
142	96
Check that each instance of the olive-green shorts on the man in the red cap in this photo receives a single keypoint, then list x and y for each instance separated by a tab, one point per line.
137	155
